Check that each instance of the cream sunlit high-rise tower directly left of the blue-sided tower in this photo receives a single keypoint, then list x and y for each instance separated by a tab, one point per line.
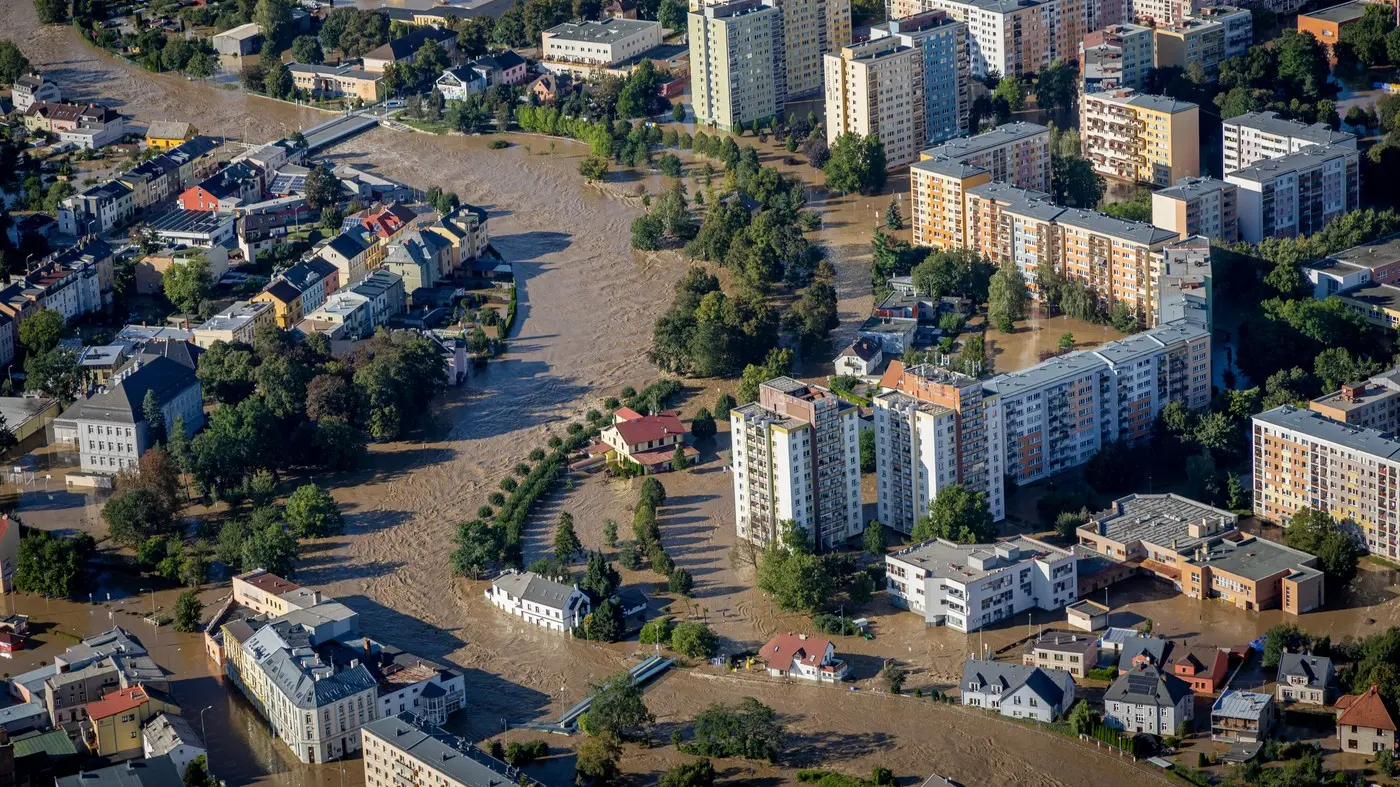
877	89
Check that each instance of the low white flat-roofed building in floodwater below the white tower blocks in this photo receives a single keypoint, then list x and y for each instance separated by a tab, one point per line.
969	586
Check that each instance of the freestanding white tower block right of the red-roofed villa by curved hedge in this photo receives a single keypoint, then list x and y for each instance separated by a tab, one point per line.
797	457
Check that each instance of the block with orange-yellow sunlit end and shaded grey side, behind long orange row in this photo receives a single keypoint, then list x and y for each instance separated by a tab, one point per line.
1016	153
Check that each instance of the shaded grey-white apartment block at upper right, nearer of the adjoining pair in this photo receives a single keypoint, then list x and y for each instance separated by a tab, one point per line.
1297	194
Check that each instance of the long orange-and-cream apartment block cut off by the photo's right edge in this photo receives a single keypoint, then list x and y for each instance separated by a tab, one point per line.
1304	460
